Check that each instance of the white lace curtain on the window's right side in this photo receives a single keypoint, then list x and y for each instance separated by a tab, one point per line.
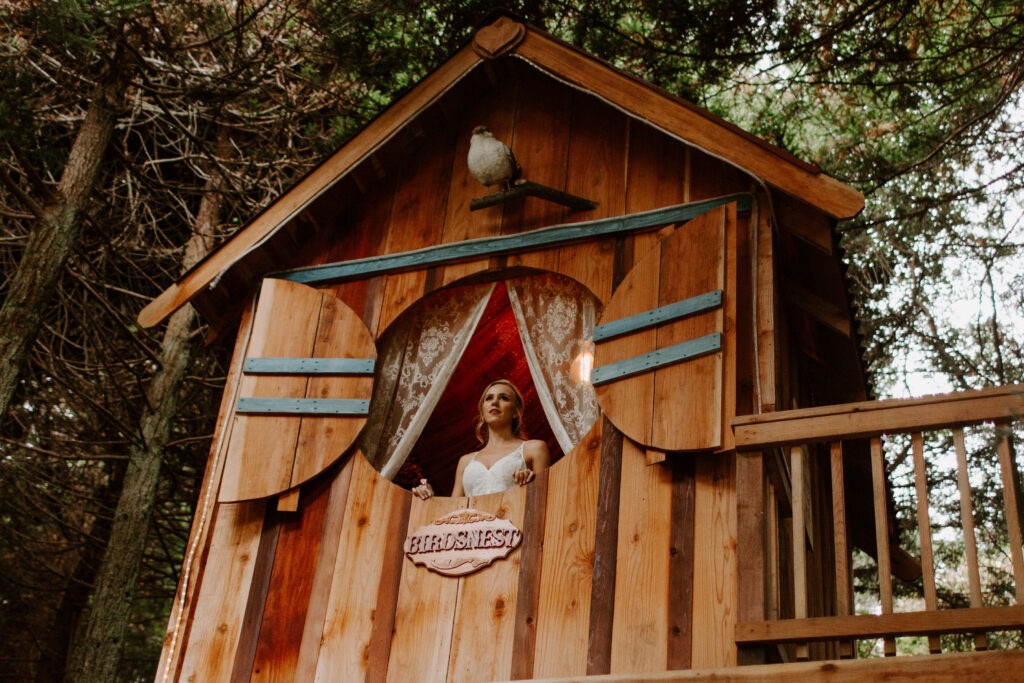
556	317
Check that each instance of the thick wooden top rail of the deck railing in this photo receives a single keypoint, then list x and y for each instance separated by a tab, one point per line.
848	421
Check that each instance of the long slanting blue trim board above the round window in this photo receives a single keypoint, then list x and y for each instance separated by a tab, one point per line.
484	247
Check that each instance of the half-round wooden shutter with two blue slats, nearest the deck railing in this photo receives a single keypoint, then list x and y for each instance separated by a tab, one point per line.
659	347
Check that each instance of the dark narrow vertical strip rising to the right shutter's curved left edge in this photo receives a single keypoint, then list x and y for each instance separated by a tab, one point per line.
603	605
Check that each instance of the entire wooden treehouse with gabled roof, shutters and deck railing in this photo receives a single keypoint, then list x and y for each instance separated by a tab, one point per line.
695	268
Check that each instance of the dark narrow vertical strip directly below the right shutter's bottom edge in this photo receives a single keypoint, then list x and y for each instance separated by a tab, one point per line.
681	562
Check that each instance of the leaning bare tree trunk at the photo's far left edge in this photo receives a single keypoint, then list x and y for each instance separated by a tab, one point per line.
58	228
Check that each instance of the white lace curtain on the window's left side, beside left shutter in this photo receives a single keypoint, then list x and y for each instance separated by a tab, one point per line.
415	365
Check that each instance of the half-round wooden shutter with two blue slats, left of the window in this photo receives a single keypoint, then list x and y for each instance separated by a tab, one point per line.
305	394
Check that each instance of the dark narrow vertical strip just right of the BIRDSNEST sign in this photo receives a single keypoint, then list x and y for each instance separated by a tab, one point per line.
529	590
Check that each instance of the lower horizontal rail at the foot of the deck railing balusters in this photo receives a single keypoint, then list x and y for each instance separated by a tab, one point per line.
932	622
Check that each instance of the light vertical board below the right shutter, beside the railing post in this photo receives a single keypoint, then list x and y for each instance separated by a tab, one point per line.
715	563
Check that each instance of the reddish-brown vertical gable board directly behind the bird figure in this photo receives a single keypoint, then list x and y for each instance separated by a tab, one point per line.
495	109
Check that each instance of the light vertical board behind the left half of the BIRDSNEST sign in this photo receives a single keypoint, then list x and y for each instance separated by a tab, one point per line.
422	643
